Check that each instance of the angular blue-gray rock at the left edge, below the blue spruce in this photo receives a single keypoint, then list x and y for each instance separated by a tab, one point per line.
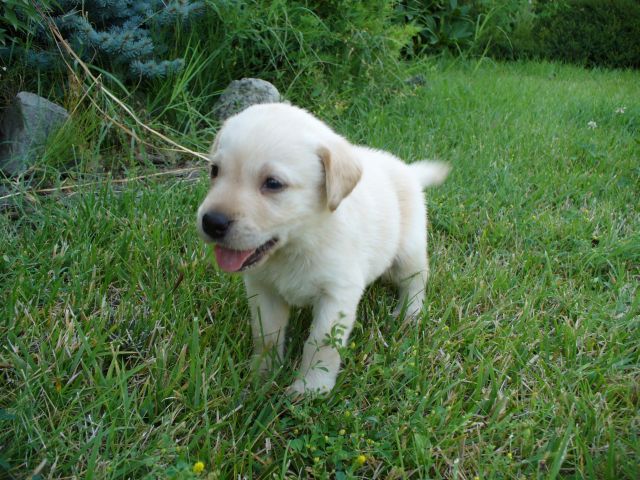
24	128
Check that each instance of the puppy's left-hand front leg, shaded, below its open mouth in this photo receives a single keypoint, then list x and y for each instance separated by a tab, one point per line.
269	318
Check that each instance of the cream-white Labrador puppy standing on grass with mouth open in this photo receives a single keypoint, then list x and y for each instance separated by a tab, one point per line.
310	219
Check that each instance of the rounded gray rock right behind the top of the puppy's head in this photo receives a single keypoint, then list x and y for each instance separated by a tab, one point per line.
241	94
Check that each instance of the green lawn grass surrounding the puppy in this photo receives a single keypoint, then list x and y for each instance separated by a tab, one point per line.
125	353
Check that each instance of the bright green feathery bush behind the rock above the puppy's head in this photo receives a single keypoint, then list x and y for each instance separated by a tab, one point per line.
309	49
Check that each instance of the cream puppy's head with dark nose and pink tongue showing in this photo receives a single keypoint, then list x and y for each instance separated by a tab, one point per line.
275	172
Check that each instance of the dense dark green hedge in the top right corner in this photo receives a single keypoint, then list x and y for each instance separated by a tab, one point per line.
591	32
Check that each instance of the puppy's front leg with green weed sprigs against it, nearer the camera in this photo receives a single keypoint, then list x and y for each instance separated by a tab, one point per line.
333	320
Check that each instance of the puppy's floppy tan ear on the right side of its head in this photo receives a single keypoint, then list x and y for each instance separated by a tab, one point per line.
341	170
